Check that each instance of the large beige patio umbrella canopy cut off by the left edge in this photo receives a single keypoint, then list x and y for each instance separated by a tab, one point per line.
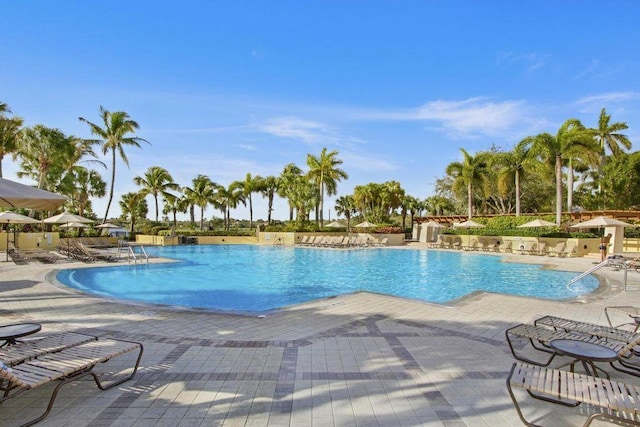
16	195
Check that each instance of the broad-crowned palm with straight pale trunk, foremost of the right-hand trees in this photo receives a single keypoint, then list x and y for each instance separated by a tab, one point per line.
554	150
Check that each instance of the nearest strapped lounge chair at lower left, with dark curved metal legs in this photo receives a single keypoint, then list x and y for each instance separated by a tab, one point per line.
66	365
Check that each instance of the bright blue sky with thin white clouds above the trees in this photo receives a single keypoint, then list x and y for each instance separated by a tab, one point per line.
397	87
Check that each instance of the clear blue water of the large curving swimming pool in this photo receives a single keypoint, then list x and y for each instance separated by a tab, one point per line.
254	278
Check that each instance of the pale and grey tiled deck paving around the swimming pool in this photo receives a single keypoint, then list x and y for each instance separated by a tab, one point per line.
355	360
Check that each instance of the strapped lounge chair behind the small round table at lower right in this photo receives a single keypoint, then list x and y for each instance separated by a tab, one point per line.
539	338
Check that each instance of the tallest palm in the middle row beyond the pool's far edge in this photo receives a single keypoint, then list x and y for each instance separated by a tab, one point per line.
324	172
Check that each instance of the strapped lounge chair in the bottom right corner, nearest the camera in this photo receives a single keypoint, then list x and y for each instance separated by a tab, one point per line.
611	400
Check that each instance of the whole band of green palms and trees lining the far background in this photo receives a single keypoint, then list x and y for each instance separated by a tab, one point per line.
590	166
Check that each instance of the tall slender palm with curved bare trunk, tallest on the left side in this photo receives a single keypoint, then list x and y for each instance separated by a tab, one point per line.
117	125
